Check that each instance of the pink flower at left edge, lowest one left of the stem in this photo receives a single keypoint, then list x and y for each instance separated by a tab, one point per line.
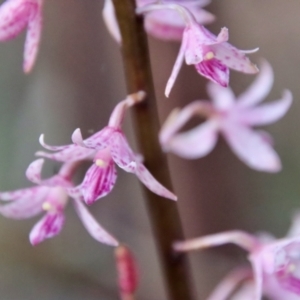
50	196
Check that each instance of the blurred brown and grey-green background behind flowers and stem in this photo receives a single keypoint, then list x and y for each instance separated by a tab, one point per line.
77	81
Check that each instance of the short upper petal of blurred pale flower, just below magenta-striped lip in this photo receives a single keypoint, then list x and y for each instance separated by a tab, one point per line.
223	98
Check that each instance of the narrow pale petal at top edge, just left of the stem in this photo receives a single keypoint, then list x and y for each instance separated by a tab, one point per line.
110	20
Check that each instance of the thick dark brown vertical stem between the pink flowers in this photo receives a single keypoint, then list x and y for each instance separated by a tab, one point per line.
163	213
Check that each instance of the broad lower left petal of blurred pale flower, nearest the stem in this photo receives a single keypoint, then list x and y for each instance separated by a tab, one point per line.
194	143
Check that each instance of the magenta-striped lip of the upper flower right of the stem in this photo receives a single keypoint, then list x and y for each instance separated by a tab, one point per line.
214	70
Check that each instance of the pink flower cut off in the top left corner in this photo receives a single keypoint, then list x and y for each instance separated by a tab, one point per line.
15	15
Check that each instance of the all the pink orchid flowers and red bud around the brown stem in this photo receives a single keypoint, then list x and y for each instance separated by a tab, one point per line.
275	263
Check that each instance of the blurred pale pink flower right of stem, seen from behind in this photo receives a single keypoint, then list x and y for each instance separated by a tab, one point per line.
233	119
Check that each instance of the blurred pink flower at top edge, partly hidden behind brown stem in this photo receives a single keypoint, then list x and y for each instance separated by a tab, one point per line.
164	24
